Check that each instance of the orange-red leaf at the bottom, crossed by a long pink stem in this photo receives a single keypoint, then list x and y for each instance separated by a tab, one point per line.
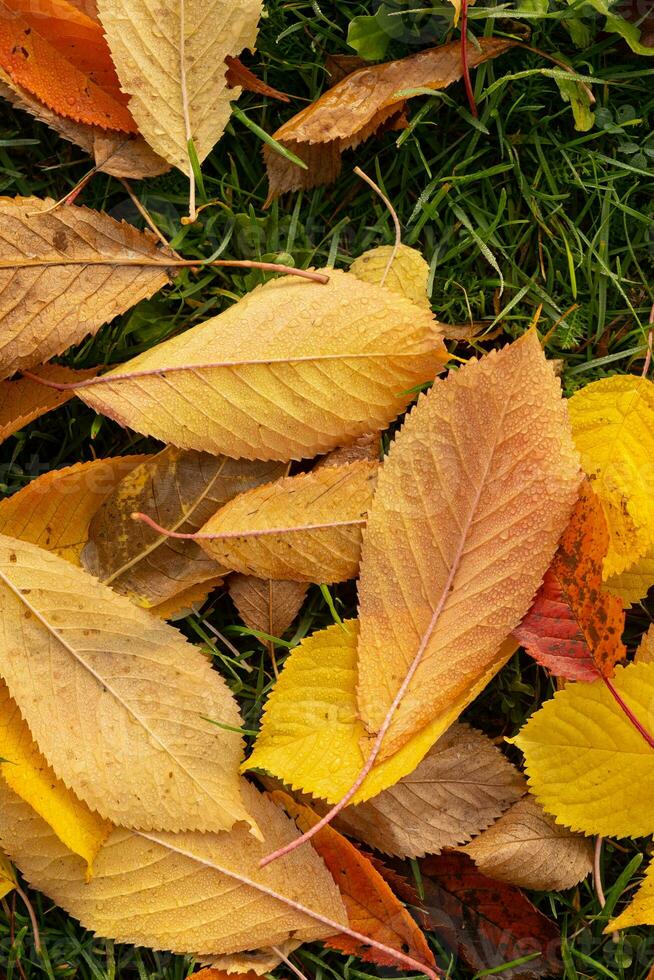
371	906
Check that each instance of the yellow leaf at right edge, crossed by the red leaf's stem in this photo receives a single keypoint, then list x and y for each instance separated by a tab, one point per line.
587	763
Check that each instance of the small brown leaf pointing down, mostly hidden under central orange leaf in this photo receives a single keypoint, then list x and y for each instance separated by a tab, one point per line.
266	605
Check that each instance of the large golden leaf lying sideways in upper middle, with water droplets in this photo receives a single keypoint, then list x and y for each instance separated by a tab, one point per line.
302	368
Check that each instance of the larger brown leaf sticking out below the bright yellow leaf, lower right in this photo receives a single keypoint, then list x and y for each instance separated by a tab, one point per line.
461	786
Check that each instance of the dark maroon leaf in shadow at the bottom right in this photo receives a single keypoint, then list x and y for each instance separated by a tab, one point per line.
488	923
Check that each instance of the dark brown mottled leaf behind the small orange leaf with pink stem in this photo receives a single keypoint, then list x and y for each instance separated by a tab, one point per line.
184	489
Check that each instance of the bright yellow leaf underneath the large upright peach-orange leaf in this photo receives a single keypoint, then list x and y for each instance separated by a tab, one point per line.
311	737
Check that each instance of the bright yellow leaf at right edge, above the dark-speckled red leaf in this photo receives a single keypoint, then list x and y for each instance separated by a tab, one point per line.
613	427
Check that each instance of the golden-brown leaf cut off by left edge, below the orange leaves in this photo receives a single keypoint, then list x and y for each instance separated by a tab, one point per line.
57	280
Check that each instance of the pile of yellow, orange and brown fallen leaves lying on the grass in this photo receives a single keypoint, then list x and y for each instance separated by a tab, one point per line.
501	516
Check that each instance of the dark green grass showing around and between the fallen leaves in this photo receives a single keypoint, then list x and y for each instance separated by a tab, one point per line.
513	212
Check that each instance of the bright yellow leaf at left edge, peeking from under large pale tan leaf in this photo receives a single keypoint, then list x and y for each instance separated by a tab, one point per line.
30	777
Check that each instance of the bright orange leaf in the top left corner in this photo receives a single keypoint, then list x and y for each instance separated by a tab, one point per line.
58	54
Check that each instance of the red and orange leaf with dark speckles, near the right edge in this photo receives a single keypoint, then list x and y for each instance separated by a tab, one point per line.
574	628
